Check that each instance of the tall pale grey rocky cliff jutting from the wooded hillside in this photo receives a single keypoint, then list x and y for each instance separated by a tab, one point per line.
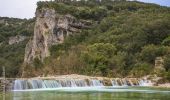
50	28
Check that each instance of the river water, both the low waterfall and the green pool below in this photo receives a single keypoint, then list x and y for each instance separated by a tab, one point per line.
85	89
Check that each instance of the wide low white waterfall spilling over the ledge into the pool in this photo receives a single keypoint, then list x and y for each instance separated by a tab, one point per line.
44	84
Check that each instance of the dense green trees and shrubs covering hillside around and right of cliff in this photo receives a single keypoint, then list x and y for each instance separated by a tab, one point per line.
124	40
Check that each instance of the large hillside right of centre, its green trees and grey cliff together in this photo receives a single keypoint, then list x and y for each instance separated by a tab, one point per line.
108	38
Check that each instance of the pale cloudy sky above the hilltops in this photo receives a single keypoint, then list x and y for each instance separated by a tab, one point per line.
26	8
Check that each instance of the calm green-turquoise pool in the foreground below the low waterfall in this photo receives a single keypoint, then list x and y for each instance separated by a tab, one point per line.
92	93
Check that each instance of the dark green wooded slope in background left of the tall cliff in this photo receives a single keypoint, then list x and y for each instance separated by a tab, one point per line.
11	56
